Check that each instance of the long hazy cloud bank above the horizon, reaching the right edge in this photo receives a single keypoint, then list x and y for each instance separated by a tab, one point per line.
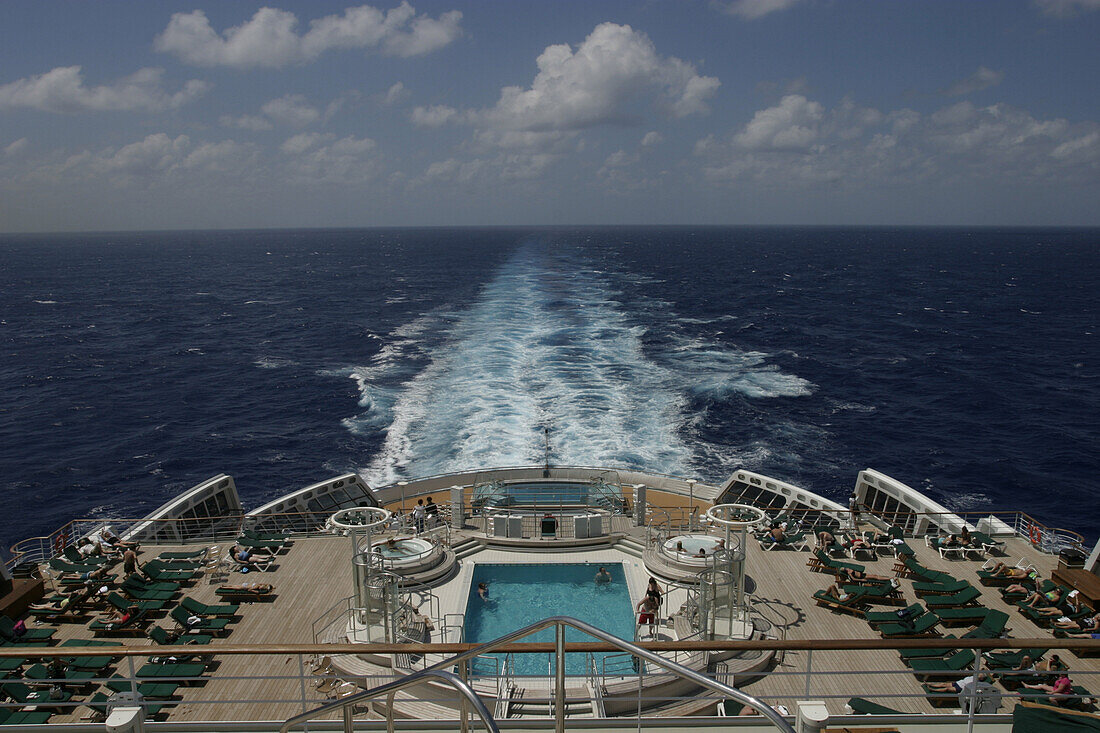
801	143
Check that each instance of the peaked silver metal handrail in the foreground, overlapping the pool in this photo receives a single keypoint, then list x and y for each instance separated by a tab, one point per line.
559	623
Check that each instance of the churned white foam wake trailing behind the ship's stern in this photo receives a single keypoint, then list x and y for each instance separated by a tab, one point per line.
547	344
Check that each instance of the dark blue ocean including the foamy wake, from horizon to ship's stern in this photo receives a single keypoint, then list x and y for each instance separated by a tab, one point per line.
962	363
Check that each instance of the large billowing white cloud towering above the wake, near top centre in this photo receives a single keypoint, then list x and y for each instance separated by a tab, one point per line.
612	79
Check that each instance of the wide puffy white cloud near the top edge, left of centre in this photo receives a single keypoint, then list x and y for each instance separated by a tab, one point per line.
271	40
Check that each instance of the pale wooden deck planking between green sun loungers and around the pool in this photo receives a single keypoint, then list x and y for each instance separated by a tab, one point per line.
315	574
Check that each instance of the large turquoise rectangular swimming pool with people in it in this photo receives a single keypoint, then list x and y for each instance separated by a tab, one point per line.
522	595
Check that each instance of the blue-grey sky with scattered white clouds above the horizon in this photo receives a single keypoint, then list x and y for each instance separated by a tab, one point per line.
137	116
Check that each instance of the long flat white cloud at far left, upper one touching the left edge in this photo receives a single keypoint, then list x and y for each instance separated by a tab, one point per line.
62	90
